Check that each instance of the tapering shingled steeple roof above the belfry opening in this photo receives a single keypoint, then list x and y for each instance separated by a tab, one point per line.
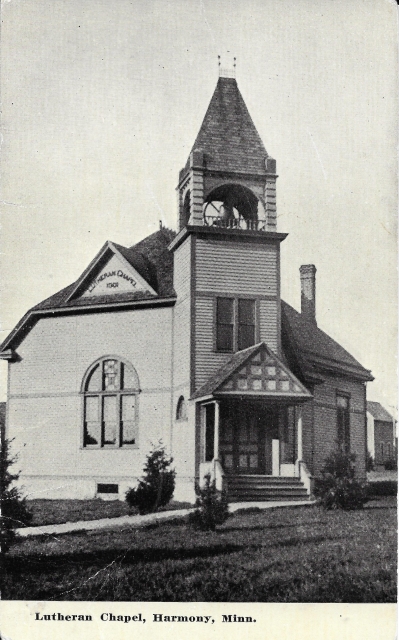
228	137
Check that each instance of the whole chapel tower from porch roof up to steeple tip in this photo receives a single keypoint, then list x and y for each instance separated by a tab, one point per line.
227	250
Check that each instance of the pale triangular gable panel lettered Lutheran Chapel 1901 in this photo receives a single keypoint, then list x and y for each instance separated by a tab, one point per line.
115	277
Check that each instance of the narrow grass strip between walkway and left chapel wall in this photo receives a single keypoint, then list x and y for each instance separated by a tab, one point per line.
60	511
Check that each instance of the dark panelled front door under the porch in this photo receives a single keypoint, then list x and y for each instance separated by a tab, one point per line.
246	432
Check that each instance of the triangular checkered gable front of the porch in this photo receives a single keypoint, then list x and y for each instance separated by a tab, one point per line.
264	374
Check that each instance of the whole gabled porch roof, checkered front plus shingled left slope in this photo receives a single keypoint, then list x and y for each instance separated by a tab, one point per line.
255	372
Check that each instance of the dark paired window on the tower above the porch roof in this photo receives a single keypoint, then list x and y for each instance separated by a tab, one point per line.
235	324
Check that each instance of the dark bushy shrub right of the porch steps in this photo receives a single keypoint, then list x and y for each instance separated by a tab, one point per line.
337	488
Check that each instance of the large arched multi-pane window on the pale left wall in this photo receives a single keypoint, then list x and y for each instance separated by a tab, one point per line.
110	404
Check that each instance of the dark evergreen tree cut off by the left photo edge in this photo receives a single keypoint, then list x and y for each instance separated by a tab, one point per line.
14	511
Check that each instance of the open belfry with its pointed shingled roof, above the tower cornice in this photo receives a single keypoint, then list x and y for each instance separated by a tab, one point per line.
229	179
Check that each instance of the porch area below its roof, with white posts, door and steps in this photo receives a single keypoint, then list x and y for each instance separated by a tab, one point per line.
254	449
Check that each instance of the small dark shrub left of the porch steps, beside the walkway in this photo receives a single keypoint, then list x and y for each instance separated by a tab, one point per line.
212	506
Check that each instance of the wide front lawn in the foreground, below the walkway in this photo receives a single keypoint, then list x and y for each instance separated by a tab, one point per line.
280	555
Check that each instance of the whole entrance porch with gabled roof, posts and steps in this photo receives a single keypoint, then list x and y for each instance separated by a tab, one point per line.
250	427
